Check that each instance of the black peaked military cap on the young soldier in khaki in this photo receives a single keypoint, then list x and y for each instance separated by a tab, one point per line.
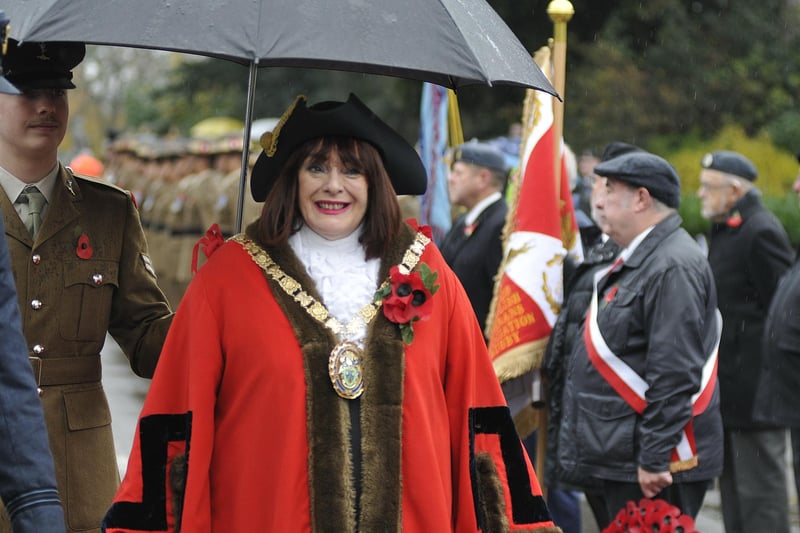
46	65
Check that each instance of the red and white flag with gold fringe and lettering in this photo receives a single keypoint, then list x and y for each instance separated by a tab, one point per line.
540	230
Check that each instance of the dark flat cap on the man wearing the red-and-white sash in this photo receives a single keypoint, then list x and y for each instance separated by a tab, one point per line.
643	169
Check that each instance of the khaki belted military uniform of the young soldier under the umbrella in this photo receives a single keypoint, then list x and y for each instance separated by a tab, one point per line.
68	304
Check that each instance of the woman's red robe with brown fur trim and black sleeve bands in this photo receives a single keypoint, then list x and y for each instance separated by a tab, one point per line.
242	430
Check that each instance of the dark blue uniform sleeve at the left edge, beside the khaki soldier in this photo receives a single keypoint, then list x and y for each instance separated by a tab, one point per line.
27	479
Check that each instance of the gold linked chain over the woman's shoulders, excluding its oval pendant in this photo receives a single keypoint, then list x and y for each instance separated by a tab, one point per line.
311	305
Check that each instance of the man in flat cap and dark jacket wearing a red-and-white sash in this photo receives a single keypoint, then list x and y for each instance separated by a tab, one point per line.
640	405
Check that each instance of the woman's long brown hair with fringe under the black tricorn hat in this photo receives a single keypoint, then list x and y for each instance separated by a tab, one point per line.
281	217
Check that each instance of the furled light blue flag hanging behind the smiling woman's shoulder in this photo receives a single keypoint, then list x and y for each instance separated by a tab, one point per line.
433	141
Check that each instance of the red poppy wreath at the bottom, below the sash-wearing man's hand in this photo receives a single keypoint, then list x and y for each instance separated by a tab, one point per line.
651	516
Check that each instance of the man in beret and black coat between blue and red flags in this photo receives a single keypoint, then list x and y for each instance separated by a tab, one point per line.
474	246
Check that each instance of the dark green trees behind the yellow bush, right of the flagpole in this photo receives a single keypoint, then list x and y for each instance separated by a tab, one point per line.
644	70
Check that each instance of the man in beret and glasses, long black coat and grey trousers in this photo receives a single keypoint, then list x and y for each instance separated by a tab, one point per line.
749	251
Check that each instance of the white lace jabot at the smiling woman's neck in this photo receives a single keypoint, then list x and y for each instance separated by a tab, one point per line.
345	281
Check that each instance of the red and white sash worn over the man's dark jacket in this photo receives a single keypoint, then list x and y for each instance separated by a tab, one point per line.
632	387
